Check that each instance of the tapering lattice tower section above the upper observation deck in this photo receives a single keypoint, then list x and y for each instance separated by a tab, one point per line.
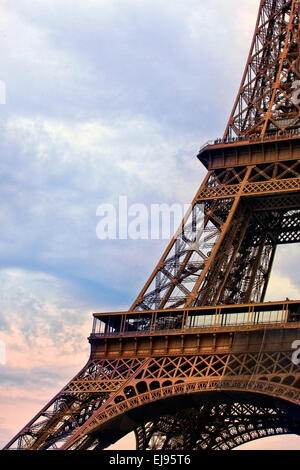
267	100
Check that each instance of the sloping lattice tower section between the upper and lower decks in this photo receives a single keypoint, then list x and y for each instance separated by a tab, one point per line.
234	225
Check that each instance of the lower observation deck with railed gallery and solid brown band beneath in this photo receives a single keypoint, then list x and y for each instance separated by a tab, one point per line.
205	330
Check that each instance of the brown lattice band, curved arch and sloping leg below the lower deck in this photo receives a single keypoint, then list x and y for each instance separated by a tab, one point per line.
106	389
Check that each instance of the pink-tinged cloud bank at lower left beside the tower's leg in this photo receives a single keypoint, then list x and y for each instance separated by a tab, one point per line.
44	329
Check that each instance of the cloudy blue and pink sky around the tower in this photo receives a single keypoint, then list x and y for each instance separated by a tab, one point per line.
104	98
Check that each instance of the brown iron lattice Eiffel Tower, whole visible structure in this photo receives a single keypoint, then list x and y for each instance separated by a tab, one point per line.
200	361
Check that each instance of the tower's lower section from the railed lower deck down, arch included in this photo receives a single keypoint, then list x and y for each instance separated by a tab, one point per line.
197	386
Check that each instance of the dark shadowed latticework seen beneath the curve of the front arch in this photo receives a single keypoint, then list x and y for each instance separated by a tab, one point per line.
214	427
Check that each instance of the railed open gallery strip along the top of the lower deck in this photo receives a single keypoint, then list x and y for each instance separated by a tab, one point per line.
224	317
